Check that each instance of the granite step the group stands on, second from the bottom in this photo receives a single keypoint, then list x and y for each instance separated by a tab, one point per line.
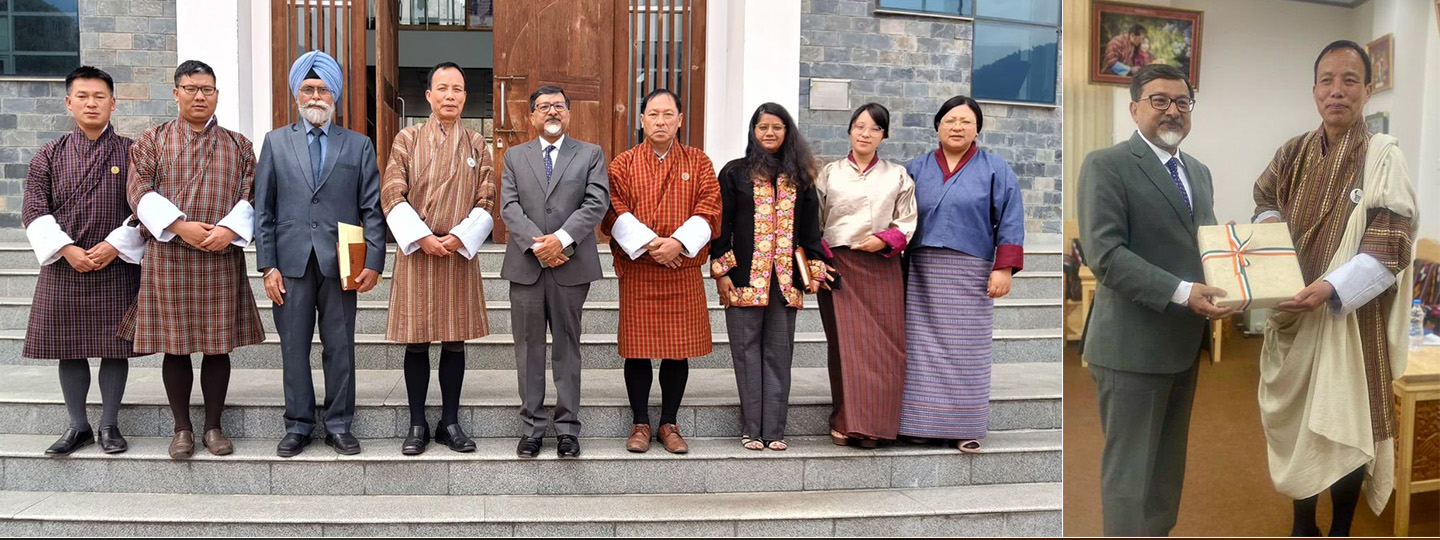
714	466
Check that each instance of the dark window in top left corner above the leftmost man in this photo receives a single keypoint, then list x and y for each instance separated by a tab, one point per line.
40	38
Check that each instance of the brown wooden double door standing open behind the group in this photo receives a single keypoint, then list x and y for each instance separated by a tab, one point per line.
607	57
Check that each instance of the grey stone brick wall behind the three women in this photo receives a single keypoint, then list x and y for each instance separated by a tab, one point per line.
912	66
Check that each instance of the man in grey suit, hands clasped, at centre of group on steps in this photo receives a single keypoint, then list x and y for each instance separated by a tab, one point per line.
554	194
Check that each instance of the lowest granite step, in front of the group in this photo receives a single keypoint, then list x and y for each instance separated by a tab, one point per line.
950	512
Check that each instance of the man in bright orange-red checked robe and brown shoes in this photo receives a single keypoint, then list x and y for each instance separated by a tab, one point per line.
662	188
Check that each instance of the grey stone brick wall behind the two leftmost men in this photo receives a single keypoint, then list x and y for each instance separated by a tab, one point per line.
132	40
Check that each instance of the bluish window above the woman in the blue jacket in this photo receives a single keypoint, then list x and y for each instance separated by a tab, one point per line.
1016	48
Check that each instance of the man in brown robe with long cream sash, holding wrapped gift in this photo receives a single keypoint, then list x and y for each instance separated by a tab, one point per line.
1333	352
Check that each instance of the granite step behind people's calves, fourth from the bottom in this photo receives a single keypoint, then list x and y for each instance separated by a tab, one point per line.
597	351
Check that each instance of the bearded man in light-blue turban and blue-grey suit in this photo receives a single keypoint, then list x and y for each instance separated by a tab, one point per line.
313	175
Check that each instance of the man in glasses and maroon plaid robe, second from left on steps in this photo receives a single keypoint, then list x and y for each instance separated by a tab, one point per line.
191	185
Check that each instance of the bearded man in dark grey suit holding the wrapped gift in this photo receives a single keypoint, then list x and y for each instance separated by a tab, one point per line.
1140	204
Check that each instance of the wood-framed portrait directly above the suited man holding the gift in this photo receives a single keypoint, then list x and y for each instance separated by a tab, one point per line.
1128	37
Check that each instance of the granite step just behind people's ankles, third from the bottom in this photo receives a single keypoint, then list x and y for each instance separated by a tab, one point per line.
1023	397
